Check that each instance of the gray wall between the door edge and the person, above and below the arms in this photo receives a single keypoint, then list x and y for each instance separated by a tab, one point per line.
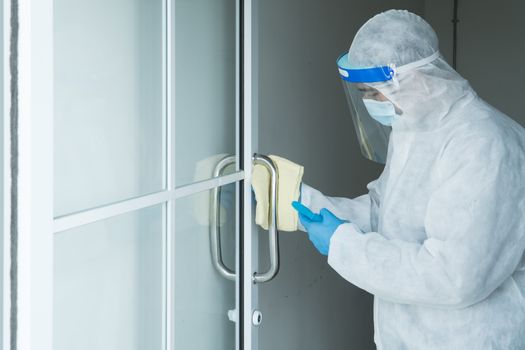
303	116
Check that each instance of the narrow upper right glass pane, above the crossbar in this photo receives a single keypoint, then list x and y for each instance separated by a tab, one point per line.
205	81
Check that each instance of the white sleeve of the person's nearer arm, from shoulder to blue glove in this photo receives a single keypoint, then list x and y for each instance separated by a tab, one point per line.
475	237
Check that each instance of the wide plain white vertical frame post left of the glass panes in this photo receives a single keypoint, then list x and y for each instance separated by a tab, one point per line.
35	189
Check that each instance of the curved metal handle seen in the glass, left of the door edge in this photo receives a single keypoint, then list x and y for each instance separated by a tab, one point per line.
215	222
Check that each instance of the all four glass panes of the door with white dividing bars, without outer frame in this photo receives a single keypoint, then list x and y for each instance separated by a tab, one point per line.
145	106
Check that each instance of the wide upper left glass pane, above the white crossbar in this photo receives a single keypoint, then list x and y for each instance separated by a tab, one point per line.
108	123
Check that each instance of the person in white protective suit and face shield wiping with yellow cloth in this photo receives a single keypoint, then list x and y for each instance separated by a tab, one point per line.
439	239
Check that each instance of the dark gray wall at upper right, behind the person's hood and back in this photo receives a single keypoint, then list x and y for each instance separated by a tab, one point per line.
491	48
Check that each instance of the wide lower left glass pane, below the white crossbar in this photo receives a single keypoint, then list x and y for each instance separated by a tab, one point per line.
108	284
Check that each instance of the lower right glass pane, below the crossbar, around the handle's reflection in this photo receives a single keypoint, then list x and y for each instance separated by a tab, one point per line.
202	296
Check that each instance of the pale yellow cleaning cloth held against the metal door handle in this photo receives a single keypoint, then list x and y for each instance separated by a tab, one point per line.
290	177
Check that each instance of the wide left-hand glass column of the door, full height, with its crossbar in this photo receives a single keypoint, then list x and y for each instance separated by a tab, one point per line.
109	148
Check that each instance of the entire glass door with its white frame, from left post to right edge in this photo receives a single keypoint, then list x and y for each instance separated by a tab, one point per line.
136	225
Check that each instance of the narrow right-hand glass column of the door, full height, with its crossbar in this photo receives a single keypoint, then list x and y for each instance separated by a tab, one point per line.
206	109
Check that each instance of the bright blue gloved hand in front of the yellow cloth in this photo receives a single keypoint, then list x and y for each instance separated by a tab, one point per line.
320	232
